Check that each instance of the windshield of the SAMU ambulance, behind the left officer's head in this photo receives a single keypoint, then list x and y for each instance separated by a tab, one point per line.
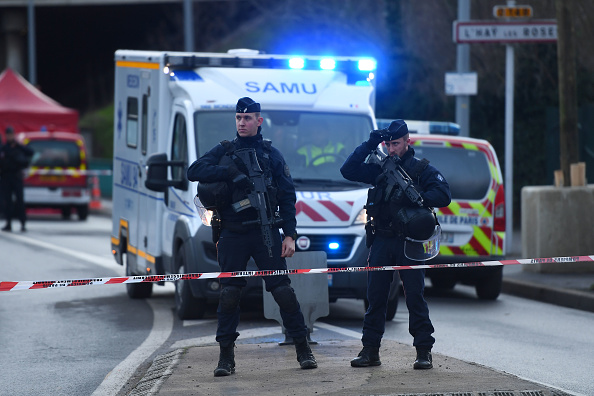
314	145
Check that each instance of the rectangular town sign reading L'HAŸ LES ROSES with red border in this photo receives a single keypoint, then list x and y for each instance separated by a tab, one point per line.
505	32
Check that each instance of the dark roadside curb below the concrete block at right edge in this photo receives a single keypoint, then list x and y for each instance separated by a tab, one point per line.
566	298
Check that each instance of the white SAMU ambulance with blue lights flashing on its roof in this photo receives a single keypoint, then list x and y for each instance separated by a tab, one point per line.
172	107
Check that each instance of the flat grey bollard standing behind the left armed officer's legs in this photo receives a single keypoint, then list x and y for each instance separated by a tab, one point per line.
311	291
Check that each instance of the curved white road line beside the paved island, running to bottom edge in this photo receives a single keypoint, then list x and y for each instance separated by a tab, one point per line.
162	326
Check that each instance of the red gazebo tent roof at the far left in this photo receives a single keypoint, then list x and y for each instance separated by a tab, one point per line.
26	108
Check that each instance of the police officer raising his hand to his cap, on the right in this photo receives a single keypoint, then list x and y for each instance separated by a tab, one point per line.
388	245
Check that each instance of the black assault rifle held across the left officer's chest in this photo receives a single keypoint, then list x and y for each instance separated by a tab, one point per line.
257	197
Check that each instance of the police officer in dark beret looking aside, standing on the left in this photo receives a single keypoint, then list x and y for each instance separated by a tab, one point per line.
238	242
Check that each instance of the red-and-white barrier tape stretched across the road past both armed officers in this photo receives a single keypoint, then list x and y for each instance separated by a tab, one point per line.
32	285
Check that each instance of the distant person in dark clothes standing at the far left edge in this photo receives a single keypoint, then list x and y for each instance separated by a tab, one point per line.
14	158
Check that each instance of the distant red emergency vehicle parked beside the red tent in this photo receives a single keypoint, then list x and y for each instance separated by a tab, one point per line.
57	176
